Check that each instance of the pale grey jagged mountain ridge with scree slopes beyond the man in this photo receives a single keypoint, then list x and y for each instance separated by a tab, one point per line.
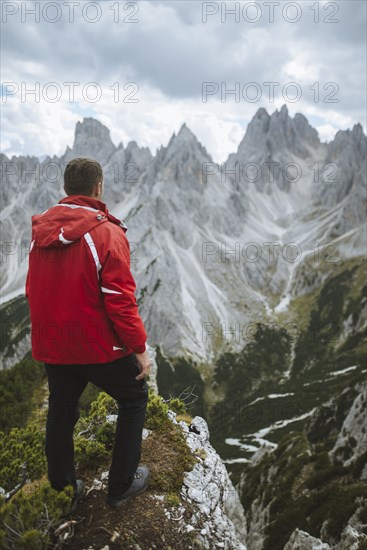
204	232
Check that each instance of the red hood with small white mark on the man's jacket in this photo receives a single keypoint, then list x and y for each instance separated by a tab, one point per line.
69	219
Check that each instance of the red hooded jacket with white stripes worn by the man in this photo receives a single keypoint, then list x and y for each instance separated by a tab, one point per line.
79	285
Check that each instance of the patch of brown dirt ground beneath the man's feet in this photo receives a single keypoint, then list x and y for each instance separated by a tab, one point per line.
140	522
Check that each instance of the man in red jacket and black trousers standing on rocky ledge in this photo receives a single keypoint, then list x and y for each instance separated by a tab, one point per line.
86	327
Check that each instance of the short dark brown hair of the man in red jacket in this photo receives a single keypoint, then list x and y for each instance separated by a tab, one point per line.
81	175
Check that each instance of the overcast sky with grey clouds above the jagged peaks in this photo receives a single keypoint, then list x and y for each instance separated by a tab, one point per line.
162	52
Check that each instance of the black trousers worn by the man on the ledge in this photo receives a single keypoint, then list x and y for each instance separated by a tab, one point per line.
66	384
